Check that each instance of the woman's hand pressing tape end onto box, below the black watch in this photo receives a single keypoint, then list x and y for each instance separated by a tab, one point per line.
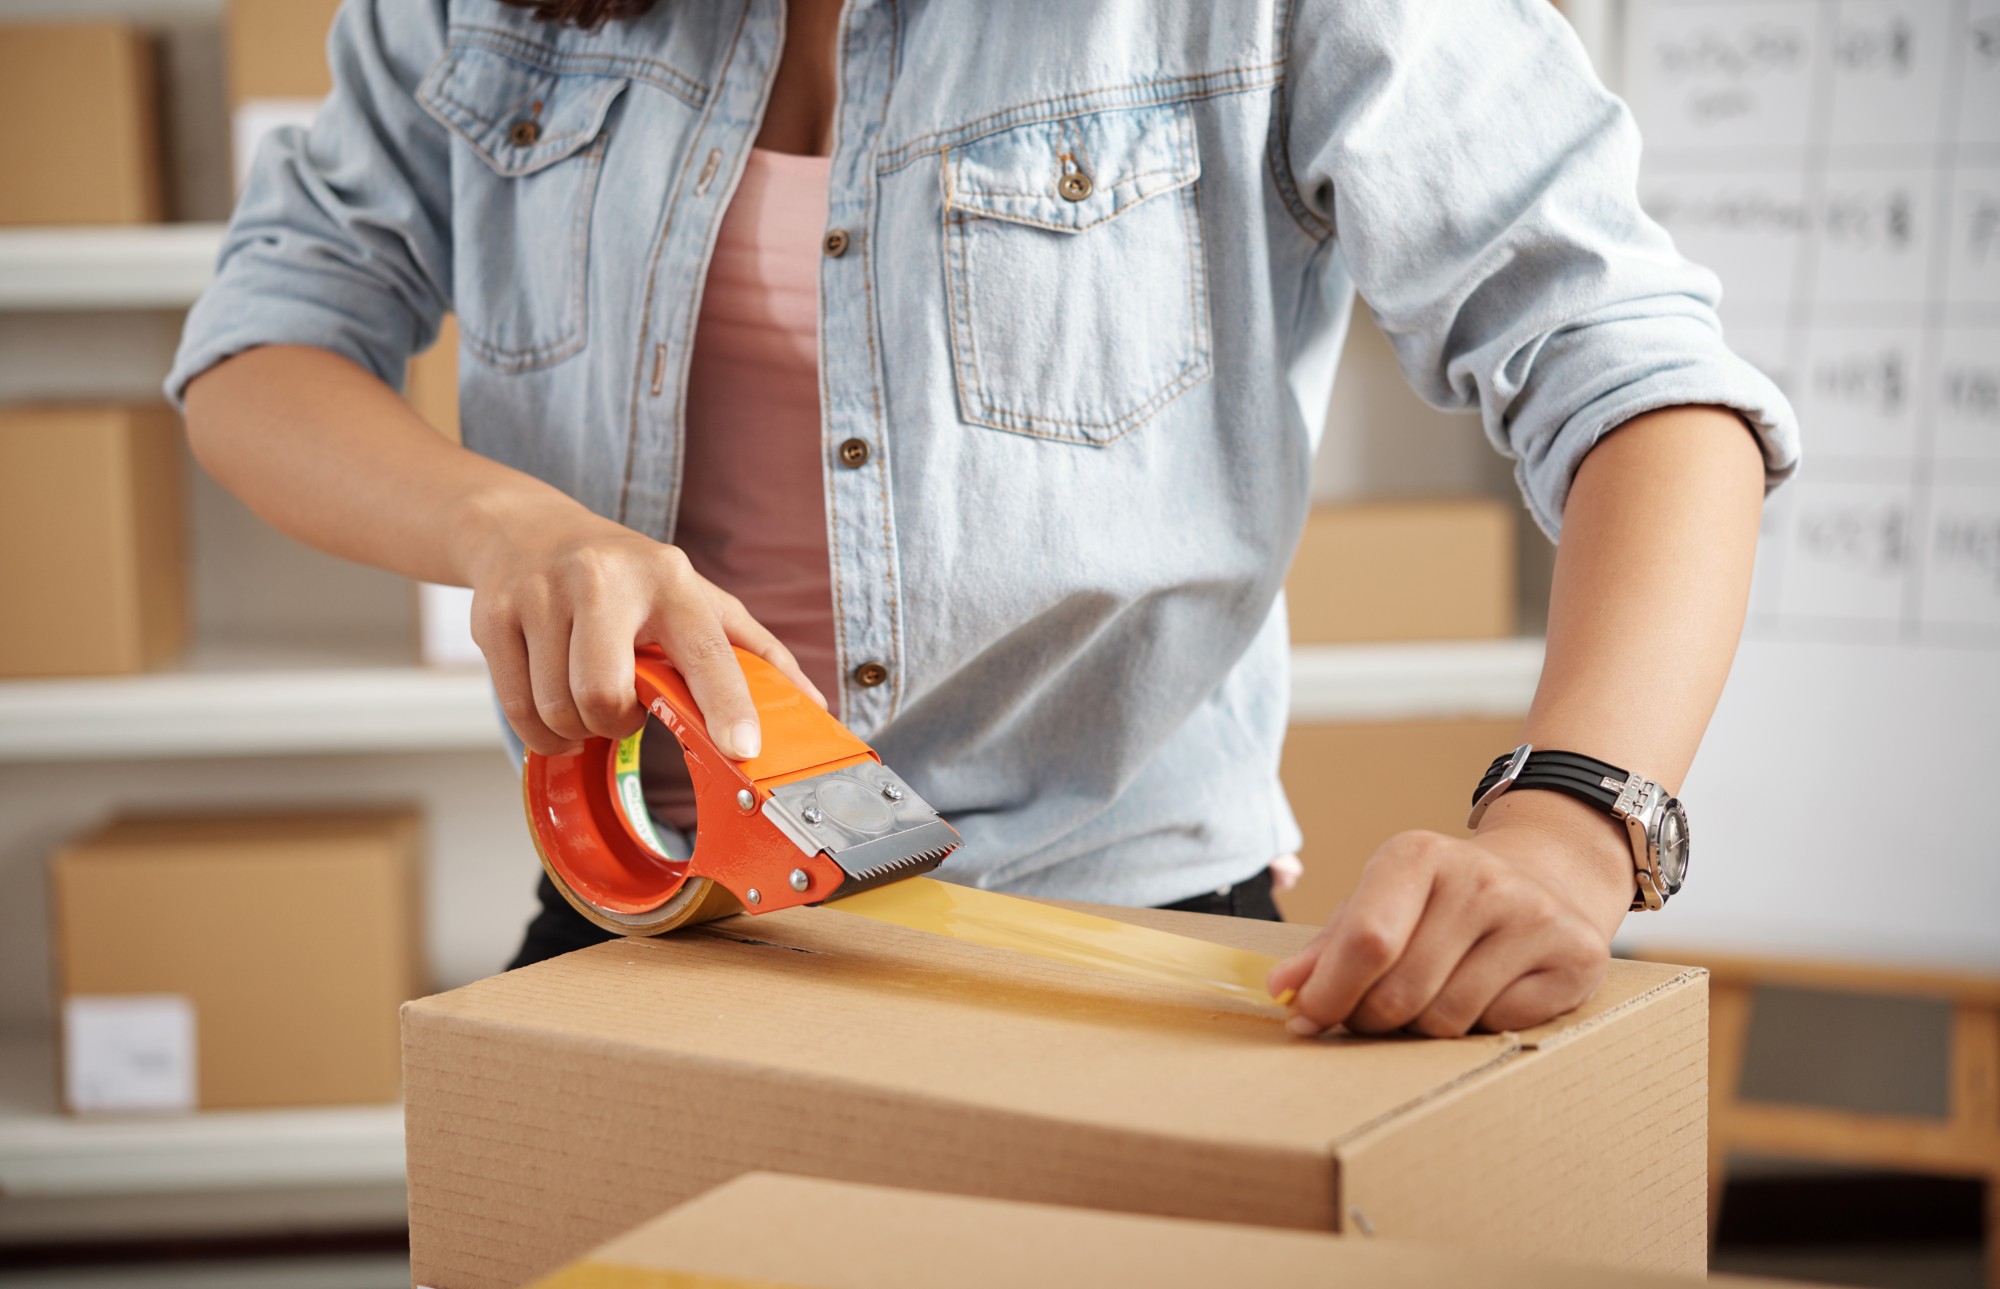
1445	936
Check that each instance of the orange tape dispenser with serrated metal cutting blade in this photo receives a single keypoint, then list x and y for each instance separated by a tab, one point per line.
813	818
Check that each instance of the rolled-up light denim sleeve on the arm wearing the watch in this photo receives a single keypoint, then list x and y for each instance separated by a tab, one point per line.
1483	191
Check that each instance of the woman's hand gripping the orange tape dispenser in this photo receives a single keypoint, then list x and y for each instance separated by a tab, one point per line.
561	597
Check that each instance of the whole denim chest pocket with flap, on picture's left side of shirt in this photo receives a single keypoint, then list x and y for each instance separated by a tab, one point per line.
523	189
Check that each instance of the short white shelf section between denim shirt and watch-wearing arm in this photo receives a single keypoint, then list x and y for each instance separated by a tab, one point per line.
1435	680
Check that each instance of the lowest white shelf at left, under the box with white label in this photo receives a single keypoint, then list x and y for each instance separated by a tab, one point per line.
51	1156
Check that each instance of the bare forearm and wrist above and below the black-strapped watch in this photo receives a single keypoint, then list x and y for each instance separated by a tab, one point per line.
1653	577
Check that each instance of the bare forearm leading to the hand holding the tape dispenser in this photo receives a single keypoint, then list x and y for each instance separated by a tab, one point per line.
331	455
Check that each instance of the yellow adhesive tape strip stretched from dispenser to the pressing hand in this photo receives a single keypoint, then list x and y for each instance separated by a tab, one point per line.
1065	936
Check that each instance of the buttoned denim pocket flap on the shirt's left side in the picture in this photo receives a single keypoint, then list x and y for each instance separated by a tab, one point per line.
517	117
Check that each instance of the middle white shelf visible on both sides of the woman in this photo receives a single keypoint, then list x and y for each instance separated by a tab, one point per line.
269	702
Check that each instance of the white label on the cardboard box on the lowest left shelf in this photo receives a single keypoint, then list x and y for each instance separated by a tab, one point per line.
129	1052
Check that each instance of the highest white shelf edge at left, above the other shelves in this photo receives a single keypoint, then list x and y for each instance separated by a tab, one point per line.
131	267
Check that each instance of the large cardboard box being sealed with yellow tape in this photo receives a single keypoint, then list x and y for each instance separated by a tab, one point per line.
555	1106
